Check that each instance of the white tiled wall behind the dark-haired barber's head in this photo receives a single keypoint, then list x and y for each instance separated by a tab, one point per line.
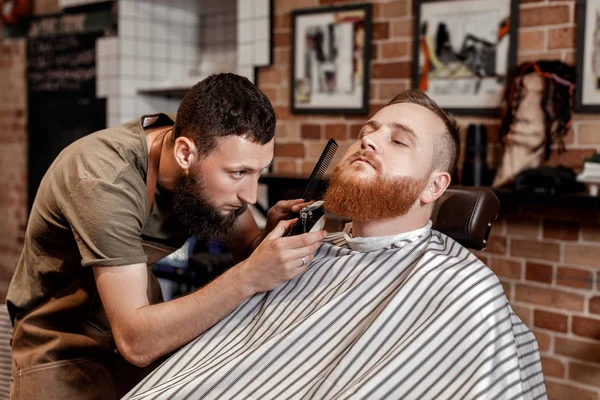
175	43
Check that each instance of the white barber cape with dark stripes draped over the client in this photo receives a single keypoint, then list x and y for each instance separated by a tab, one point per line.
421	319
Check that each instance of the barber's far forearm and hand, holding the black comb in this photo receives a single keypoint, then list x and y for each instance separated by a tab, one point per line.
247	235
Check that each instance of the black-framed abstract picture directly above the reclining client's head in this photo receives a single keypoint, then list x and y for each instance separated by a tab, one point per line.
464	51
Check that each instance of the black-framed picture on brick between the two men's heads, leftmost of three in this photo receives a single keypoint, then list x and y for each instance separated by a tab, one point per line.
331	52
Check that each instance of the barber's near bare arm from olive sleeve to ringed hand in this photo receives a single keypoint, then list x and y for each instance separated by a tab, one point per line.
143	332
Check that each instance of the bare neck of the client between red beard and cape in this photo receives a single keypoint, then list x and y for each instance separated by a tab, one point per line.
412	220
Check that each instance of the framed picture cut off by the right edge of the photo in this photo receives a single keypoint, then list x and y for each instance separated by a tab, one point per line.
587	89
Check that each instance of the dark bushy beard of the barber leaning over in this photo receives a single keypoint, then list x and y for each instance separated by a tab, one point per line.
193	209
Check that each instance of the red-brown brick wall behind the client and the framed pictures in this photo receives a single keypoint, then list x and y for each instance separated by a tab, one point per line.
547	258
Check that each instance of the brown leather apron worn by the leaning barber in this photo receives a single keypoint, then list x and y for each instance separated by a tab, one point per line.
64	348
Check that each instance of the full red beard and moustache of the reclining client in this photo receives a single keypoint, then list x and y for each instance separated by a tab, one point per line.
371	198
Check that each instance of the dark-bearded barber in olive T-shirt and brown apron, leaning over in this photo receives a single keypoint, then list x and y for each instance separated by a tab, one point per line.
87	312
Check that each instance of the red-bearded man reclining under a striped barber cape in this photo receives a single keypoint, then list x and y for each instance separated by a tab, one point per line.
389	308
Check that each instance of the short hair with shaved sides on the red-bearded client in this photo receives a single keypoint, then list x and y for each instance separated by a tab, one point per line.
447	150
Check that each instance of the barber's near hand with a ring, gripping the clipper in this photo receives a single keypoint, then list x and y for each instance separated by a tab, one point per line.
278	259
